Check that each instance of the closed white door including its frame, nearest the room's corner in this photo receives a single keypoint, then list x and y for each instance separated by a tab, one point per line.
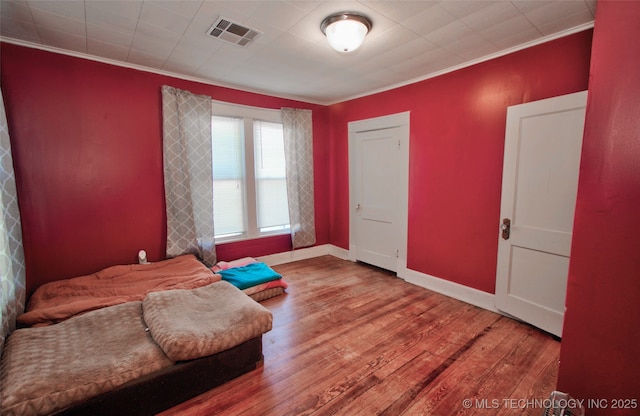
379	172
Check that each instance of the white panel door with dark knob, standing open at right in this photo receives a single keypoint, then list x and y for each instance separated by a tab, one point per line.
543	143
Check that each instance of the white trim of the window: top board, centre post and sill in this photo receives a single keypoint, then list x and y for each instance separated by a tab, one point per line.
248	114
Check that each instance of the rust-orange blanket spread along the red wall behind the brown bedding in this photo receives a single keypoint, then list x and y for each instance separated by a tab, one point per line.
56	301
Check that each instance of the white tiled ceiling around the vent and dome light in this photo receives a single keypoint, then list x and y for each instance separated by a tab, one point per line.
410	40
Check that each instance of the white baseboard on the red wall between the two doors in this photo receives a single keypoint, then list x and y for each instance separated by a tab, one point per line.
463	293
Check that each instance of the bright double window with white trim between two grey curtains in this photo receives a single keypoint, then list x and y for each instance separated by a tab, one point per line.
249	180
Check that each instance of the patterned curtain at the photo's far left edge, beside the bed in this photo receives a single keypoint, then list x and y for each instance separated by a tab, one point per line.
12	268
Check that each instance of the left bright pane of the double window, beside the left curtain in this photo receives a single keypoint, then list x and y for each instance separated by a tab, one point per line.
228	176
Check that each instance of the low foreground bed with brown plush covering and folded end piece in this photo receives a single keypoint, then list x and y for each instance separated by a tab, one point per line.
57	367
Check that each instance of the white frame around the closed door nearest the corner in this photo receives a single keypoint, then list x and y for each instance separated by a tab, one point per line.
372	124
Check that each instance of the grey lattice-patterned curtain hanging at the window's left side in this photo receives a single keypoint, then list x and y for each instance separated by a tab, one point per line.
188	174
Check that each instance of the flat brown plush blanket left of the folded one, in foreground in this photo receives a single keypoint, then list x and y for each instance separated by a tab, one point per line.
47	369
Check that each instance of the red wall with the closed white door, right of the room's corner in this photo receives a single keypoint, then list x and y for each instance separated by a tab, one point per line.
457	144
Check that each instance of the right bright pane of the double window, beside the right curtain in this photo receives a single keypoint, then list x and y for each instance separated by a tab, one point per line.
271	182
